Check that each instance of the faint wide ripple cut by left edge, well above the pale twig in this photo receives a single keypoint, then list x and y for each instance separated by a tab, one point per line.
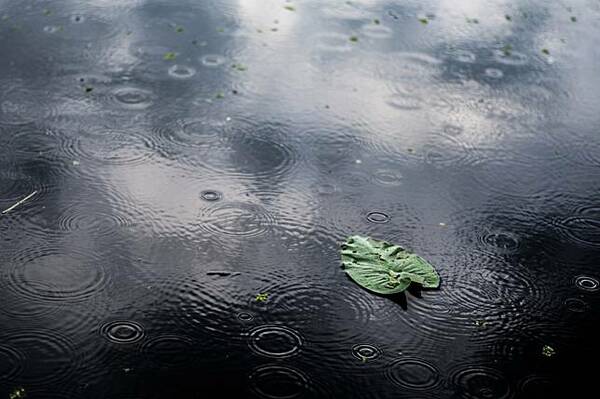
21	105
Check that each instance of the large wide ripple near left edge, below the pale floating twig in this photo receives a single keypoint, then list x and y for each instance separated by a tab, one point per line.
47	273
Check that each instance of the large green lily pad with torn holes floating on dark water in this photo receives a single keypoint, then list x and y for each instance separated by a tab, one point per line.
385	268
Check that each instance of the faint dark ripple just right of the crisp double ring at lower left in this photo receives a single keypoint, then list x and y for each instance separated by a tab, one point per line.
169	350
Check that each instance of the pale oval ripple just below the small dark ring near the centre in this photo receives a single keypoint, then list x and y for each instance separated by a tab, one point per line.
236	219
